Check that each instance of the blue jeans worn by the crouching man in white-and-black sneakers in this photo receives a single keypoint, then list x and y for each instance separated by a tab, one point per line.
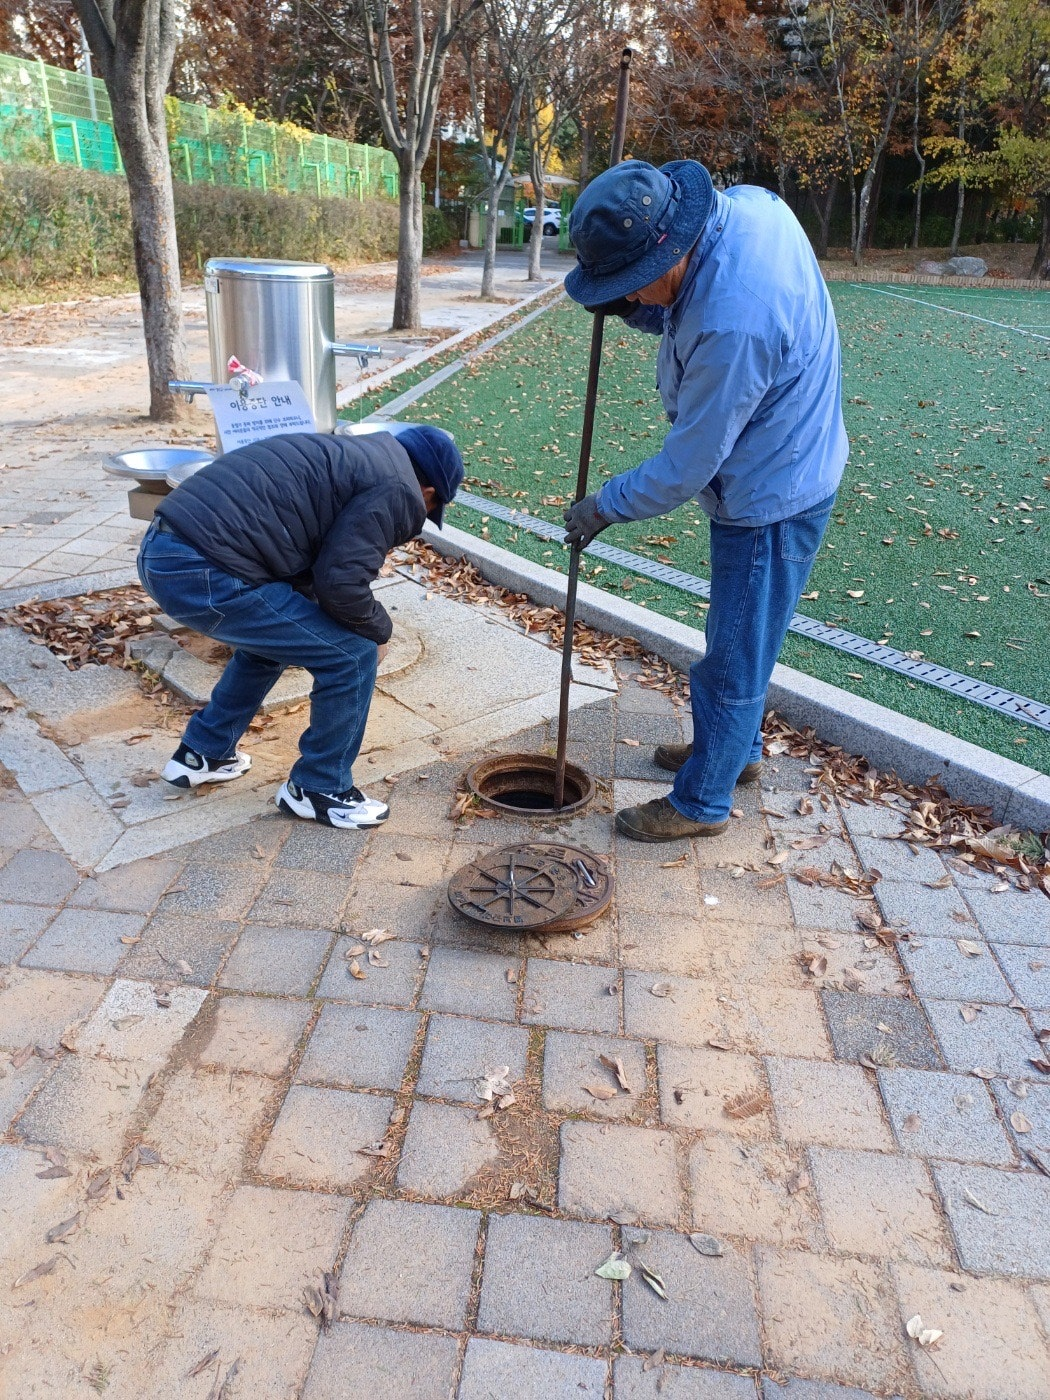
269	626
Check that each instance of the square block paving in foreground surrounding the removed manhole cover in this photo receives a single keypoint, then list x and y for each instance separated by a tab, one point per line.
232	1109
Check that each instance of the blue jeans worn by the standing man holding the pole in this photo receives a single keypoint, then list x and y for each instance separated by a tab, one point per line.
758	576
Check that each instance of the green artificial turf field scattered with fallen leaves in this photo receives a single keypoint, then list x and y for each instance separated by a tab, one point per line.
940	541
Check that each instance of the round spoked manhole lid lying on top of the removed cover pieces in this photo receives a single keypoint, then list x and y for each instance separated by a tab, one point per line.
514	888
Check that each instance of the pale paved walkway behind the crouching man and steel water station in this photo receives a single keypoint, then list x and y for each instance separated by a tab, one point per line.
76	391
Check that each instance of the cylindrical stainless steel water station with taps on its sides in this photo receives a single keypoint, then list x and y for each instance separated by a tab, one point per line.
276	320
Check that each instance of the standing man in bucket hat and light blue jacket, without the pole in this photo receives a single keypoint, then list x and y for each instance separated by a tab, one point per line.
750	374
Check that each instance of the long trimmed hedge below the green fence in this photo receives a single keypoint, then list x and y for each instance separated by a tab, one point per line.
59	223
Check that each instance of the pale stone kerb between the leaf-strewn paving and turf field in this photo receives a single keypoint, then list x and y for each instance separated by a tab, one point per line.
1017	794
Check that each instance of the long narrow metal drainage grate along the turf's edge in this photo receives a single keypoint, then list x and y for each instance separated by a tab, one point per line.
958	684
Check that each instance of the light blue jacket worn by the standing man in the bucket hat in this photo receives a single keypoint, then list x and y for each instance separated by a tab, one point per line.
750	374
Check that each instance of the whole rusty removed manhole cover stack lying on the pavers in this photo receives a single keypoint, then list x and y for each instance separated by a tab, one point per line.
540	887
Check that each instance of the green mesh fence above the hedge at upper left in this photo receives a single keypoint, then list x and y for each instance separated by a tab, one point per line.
52	115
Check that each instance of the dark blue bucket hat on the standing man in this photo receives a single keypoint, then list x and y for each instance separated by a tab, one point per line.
633	225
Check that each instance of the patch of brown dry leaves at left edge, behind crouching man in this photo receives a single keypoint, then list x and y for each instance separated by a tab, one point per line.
87	631
